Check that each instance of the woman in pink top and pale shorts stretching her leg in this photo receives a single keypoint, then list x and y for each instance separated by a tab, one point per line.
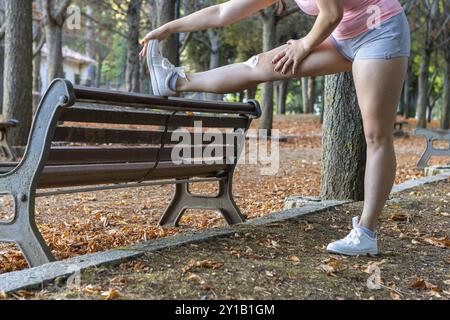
371	38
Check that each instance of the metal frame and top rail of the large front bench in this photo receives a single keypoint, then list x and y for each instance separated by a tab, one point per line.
22	181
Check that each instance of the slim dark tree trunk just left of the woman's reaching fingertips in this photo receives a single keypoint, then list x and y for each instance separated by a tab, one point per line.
133	66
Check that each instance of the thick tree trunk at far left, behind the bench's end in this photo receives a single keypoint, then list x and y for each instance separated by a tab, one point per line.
17	99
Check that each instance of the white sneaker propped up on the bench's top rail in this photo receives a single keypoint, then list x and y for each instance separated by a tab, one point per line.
161	70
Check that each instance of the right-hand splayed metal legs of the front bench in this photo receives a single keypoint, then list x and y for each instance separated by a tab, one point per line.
183	200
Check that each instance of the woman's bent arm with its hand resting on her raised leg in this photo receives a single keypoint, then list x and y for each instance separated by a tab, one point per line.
331	12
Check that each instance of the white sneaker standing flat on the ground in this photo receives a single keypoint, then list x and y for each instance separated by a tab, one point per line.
356	243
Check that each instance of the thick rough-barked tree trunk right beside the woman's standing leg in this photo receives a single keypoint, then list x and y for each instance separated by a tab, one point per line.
344	146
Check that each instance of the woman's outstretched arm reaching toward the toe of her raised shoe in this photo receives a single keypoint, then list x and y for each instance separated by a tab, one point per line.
212	17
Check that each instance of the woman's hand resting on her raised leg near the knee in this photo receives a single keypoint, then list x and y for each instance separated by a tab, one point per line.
291	57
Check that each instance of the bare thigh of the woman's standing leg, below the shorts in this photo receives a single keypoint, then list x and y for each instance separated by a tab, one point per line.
379	84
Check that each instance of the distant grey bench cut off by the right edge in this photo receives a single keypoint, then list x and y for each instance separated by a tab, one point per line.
430	150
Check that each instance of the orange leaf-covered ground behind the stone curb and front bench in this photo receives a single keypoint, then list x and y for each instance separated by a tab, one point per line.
85	223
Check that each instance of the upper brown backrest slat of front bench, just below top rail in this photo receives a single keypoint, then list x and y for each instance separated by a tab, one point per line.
131	117
